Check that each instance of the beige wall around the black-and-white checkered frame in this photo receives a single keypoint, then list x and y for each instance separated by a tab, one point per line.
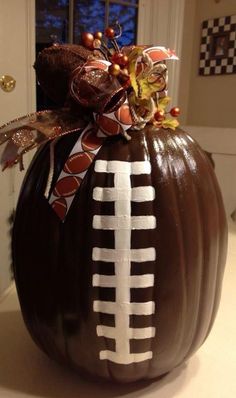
204	100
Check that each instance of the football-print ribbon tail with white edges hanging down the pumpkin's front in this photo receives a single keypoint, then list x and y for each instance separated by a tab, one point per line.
82	155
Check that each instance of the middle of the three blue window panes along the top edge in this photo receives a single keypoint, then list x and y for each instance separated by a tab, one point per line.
89	16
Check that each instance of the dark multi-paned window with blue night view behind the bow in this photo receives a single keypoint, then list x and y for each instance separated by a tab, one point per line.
64	20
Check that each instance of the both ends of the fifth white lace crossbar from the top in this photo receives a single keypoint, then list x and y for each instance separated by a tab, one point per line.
132	281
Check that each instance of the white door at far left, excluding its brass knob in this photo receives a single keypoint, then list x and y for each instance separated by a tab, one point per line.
17	48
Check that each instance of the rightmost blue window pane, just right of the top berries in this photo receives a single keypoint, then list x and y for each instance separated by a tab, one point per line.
127	17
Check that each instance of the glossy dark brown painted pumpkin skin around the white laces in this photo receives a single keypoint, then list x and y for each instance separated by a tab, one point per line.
53	261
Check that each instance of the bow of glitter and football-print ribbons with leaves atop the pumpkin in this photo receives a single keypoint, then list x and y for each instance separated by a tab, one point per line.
121	97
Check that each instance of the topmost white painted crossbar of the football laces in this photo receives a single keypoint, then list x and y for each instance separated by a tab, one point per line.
117	166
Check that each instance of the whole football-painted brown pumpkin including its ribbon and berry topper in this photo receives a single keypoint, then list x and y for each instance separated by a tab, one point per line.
120	235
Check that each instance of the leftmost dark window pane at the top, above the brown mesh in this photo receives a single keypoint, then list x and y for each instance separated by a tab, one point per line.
51	19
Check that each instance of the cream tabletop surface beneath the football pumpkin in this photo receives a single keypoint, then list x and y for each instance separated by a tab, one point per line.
211	373
